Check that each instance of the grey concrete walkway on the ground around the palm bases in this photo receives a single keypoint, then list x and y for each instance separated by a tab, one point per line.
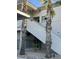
35	55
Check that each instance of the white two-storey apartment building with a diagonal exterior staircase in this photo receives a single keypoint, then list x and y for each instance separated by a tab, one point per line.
35	33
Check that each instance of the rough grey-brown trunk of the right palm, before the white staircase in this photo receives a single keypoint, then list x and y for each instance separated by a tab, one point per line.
48	31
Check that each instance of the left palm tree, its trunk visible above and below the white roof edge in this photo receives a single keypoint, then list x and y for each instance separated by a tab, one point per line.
23	45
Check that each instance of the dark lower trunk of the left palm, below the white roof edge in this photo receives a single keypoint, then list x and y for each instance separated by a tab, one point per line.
22	51
